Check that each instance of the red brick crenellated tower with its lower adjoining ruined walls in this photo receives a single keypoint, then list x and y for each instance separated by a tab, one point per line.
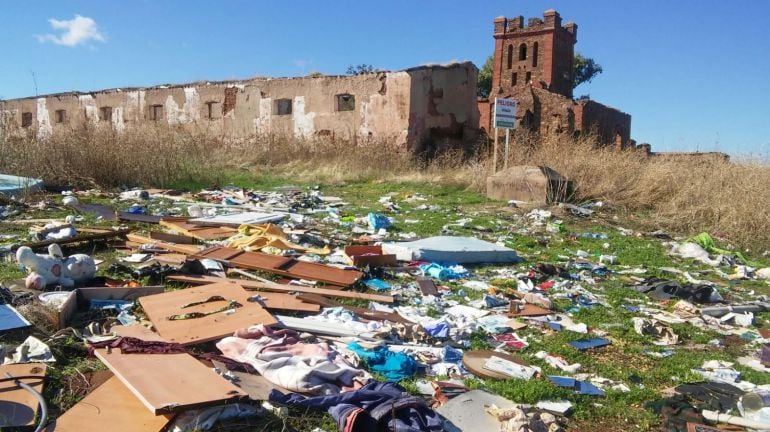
533	64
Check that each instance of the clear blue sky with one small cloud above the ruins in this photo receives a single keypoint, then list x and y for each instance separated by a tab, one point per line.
694	74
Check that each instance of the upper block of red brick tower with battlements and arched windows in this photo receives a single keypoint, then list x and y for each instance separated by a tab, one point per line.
540	52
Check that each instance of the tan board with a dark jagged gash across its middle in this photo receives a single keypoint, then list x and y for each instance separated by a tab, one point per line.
218	325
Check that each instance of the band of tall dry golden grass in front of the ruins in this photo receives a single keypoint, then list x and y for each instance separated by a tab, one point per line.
684	195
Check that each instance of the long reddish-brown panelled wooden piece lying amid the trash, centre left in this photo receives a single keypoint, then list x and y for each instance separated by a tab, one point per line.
284	266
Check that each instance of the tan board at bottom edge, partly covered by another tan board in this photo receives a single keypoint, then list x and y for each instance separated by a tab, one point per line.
110	407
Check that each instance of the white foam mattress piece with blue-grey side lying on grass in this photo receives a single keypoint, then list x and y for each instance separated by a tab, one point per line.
449	249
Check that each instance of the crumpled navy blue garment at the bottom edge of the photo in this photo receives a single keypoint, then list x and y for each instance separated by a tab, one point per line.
374	407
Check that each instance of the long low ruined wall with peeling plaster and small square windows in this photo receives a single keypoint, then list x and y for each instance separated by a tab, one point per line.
406	108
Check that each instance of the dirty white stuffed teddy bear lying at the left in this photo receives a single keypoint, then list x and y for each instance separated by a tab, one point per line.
54	268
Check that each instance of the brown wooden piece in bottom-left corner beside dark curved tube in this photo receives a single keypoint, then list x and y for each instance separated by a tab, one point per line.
18	407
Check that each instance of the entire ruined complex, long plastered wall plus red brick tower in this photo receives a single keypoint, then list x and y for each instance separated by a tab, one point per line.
420	109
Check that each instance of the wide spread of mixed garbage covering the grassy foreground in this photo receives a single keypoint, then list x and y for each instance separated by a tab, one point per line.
237	304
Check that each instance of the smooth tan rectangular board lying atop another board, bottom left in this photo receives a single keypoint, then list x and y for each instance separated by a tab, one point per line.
169	383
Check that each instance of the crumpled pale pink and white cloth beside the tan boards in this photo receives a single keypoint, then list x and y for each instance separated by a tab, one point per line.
282	359
